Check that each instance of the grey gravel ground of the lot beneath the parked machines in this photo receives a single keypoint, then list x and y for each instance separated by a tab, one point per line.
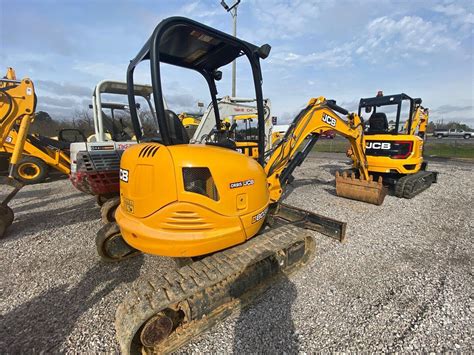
402	281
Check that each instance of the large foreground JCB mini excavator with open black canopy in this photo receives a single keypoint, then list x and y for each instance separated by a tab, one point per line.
208	202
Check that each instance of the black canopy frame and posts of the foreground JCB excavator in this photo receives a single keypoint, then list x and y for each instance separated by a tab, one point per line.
188	44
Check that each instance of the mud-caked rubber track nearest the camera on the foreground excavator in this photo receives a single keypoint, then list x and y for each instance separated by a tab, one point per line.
151	295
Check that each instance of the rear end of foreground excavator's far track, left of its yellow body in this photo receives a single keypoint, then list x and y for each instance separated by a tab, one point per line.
111	246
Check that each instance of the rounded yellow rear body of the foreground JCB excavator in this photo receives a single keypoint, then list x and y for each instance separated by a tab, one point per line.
159	215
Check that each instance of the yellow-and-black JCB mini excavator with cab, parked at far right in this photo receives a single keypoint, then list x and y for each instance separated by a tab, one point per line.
395	154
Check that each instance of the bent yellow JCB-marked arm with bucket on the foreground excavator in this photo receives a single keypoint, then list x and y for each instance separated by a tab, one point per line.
318	117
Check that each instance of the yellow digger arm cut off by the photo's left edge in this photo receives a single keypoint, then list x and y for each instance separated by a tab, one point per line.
17	106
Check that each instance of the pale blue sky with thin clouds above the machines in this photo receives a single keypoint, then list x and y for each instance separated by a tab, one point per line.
342	49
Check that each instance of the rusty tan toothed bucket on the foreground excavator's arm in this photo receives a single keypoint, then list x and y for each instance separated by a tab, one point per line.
359	189
